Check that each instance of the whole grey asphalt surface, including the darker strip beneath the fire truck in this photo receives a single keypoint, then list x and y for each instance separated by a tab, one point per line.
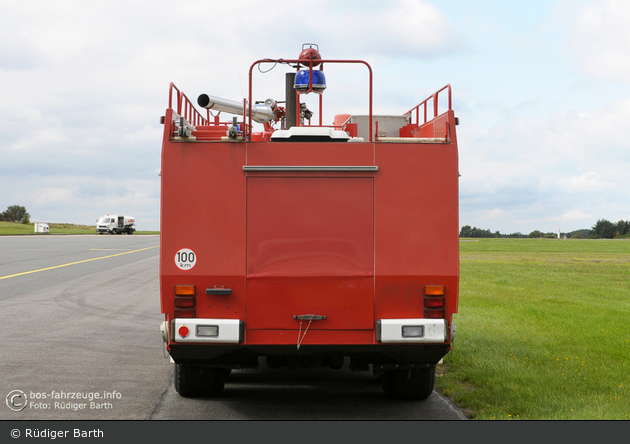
81	341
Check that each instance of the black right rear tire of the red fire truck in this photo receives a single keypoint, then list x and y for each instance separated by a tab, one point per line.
410	383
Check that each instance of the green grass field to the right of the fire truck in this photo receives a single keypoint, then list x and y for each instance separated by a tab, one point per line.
543	330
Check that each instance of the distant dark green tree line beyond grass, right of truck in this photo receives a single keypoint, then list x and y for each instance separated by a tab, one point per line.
603	229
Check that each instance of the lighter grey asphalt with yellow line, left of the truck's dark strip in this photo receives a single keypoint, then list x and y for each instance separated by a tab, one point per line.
80	326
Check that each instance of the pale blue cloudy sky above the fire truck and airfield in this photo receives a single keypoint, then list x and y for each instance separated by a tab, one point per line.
541	89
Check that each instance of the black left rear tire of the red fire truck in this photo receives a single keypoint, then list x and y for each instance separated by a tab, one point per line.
197	380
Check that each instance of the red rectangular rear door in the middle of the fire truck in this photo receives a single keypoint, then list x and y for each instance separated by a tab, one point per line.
310	250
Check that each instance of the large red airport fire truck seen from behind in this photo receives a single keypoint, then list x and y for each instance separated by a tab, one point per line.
305	245
